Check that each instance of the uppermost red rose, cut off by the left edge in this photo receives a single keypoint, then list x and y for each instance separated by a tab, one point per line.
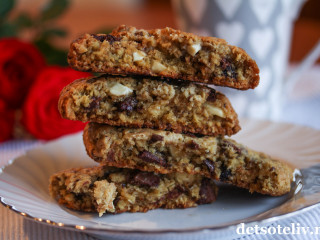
20	62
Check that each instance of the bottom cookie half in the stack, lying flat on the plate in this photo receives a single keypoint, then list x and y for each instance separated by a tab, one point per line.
105	189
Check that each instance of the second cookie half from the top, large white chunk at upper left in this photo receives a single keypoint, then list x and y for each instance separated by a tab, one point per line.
145	102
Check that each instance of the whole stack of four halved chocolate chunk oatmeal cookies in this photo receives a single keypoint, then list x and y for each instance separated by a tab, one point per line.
158	132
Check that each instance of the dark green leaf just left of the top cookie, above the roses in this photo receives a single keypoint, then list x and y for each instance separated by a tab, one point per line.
53	55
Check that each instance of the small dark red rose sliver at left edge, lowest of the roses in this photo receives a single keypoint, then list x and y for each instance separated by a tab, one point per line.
6	121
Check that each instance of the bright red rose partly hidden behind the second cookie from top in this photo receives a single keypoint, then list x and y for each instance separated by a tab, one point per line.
40	114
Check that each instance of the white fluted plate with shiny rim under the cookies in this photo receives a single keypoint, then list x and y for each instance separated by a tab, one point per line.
24	188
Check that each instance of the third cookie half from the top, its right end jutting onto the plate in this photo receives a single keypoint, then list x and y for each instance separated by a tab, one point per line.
166	152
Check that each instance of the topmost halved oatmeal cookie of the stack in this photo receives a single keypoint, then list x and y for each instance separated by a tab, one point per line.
165	52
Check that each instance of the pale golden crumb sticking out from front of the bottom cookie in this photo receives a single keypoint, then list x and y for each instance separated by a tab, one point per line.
104	194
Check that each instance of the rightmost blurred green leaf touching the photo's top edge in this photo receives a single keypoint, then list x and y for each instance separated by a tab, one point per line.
53	9
